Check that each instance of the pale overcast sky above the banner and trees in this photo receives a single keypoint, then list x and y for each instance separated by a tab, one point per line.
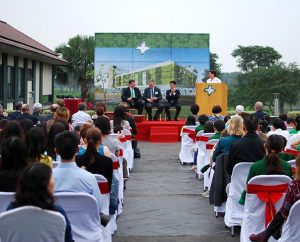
230	23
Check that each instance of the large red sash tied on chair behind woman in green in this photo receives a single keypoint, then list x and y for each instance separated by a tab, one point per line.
270	195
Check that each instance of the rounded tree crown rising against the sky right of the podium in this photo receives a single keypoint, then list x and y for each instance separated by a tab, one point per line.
253	57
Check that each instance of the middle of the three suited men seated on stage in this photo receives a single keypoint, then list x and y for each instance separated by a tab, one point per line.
152	96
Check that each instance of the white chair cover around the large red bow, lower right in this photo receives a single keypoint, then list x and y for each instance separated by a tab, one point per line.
255	209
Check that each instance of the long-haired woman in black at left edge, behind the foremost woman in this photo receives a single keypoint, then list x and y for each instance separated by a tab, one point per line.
14	159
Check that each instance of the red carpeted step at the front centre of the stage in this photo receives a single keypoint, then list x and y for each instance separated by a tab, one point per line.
163	134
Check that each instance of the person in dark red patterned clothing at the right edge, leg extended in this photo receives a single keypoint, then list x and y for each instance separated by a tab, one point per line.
291	197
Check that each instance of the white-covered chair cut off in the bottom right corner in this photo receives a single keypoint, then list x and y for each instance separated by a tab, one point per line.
290	230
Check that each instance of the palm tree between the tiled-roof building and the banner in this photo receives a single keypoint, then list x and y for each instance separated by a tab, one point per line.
79	52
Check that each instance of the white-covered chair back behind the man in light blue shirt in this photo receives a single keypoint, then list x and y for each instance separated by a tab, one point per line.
84	215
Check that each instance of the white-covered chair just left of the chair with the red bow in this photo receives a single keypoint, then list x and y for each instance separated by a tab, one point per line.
234	211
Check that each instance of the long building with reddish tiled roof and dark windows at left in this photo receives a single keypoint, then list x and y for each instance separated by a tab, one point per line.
26	68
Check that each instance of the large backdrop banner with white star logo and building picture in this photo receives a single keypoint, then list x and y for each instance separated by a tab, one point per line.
161	57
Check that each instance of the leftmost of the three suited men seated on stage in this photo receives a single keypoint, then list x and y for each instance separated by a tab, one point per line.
132	96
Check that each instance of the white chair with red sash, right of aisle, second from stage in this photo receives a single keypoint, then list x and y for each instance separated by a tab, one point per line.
201	140
